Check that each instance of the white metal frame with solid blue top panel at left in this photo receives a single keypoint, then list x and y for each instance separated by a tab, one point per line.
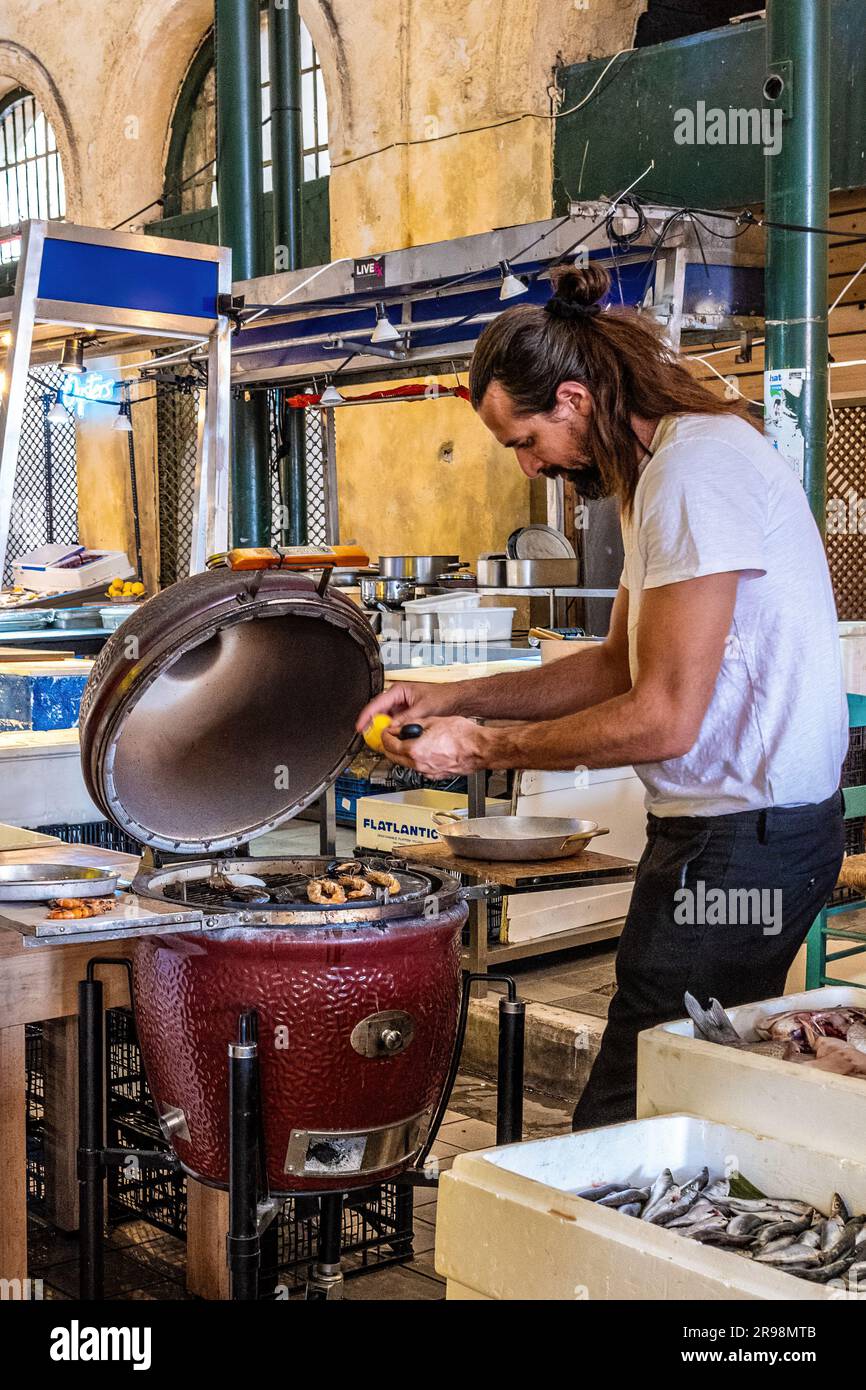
152	301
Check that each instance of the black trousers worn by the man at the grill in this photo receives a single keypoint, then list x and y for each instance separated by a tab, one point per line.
721	907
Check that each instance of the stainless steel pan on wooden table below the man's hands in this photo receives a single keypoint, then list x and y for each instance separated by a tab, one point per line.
516	839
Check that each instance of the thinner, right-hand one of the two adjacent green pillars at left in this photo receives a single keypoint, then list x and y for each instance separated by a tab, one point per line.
287	163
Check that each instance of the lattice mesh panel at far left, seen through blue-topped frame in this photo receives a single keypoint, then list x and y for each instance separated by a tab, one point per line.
45	501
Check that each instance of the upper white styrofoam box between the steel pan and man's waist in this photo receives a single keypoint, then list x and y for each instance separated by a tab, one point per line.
612	797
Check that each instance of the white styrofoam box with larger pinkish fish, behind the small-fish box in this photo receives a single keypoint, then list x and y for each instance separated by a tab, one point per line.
680	1072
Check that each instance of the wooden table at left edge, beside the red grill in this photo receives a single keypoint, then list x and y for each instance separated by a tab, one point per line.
40	985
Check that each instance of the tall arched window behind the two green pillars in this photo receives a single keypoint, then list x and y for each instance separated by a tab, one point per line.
190	180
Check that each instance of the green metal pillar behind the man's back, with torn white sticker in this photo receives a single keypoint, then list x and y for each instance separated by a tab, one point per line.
799	191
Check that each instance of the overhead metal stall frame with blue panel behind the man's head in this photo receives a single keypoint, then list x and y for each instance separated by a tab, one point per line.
443	297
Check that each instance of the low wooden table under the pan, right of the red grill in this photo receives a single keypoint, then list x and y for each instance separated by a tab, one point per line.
543	876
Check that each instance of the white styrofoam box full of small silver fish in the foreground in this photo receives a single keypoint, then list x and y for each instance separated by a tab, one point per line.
511	1228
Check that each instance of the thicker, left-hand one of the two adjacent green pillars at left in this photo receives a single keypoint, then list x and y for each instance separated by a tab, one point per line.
238	59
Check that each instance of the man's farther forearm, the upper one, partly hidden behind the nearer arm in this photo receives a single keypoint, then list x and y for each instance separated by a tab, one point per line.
575	683
